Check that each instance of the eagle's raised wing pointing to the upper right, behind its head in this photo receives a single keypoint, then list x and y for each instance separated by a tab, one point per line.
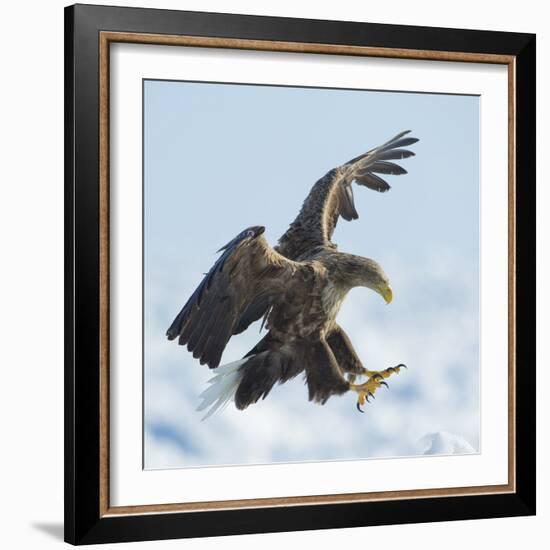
332	196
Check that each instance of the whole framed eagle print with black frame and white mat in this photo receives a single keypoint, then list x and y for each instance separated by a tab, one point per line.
361	348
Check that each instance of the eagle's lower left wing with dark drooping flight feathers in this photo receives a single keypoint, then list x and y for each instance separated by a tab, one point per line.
245	278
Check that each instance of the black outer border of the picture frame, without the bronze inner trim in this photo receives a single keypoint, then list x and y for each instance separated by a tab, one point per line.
84	523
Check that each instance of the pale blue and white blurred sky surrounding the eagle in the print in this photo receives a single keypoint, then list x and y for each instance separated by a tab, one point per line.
221	157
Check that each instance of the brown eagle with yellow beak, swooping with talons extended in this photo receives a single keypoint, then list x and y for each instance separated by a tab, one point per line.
297	287
